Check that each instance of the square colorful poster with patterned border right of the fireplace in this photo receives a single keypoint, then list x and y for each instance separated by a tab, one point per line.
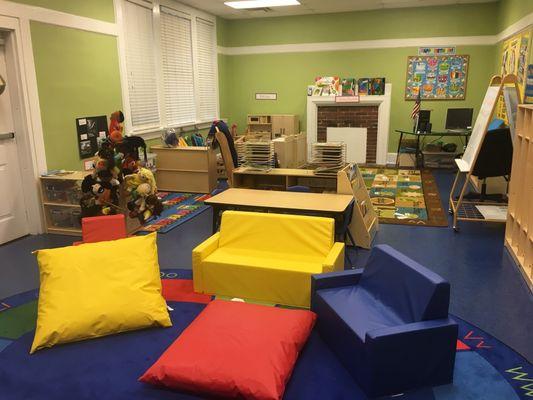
437	78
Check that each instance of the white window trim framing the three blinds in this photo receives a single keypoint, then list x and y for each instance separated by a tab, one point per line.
150	133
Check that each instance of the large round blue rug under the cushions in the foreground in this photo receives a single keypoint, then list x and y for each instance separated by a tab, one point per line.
108	367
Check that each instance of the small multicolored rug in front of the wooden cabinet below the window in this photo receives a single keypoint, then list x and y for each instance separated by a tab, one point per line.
178	208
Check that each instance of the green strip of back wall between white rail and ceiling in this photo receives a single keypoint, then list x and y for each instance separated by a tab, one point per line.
456	20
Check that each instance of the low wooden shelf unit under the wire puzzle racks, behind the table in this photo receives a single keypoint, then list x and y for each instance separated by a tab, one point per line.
282	178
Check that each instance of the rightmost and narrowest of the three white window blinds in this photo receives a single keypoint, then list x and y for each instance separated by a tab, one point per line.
207	91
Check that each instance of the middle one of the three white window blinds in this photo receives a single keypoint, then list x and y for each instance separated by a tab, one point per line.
177	66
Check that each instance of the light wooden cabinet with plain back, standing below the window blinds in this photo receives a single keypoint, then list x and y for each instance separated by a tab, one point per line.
186	169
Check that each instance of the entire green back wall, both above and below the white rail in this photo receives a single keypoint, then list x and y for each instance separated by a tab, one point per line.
289	74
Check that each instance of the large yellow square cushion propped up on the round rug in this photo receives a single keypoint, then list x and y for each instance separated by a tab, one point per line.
98	289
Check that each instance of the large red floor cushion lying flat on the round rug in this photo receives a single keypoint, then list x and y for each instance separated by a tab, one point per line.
235	350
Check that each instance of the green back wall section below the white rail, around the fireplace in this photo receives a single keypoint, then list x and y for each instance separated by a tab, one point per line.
289	75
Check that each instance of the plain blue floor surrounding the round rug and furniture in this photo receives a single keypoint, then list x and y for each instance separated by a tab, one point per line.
487	289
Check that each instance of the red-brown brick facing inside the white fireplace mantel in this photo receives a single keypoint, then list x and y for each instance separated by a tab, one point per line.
350	116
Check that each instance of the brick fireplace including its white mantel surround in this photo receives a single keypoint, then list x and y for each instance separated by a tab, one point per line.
370	112
